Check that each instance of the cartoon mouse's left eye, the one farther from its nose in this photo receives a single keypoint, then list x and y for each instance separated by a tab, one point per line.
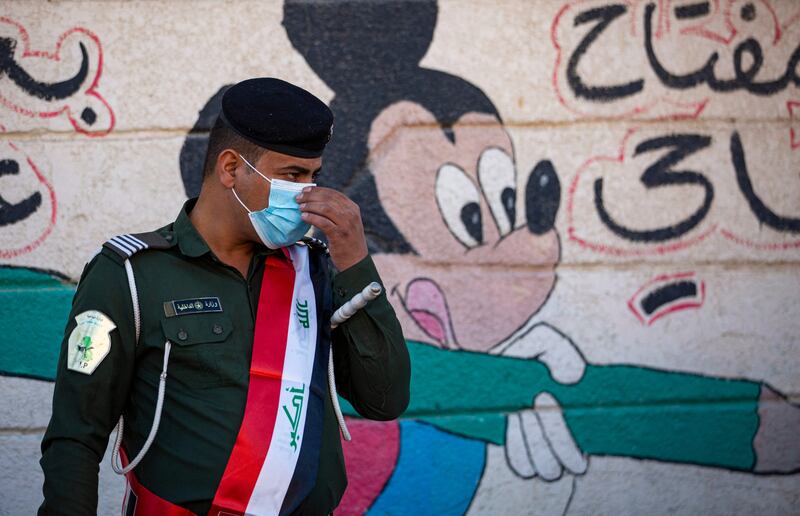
459	201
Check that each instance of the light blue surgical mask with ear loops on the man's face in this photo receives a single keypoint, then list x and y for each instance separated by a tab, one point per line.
280	223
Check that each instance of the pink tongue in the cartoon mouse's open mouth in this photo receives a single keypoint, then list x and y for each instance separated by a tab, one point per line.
426	304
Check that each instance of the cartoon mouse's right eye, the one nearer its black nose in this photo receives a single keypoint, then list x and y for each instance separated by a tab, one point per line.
497	175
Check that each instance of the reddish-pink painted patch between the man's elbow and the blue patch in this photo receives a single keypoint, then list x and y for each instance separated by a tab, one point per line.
370	459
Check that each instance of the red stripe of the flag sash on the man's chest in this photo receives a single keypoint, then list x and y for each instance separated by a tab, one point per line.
263	392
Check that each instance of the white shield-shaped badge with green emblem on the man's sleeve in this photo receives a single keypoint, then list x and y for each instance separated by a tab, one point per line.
90	341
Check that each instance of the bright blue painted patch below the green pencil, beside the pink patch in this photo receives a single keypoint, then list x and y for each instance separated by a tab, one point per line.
436	473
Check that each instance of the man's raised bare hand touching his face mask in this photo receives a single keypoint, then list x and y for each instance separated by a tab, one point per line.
339	218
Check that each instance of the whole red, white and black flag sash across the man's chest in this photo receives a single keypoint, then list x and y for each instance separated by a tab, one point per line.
274	461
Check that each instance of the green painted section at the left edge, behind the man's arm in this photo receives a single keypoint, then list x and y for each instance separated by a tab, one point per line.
34	307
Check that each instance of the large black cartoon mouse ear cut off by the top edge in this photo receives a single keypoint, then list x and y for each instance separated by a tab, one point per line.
353	41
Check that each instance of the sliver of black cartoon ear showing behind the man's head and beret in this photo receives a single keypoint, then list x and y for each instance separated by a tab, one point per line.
193	151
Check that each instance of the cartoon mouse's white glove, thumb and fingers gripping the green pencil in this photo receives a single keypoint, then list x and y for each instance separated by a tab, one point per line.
538	440
